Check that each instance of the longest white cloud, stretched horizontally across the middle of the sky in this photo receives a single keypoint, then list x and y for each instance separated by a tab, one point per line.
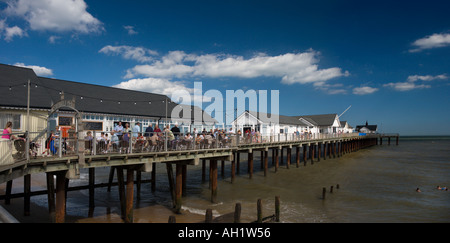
290	68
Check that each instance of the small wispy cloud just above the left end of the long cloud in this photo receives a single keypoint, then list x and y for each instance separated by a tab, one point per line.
139	54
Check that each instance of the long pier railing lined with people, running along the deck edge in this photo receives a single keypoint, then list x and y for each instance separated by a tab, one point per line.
97	143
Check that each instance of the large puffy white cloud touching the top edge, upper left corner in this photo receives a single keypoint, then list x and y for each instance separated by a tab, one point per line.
55	15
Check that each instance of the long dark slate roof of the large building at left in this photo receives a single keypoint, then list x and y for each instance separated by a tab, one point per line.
96	98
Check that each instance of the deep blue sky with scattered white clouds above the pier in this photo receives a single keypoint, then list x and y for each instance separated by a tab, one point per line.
389	60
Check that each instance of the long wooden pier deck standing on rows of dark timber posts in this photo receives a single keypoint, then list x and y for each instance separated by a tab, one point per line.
307	150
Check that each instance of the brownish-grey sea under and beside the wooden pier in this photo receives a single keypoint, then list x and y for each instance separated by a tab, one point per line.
373	185
